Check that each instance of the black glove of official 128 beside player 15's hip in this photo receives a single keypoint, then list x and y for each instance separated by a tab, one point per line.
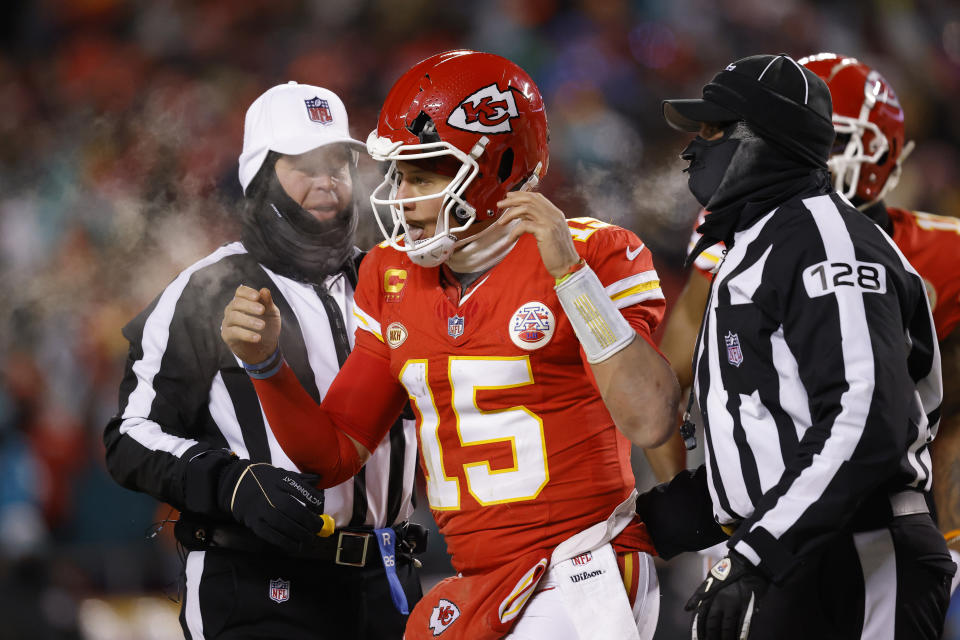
679	514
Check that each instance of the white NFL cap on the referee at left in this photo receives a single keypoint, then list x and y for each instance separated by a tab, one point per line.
292	119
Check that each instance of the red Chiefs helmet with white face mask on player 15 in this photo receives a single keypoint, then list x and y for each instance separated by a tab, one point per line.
477	117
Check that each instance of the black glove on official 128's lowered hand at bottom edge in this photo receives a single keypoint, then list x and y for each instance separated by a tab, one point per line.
727	600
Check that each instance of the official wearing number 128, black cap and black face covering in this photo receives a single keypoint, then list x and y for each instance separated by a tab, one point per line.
817	372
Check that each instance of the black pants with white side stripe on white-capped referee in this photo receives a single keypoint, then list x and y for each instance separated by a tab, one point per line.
323	601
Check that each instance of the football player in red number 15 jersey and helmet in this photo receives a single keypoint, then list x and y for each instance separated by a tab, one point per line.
521	340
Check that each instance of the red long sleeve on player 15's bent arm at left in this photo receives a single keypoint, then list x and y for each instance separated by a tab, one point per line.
362	403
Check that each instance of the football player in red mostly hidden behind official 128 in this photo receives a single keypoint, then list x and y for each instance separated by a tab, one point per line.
866	164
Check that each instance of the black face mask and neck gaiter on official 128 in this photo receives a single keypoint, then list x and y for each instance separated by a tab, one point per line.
756	177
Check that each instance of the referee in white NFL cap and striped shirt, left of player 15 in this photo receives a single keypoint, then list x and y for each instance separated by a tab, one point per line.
261	559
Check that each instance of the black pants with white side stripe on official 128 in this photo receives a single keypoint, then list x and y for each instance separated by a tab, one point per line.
824	598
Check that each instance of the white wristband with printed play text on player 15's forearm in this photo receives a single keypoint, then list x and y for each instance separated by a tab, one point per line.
599	325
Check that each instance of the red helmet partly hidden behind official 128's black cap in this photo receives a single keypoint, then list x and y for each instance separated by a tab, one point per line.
869	151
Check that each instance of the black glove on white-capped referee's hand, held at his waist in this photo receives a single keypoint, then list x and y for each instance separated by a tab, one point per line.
279	506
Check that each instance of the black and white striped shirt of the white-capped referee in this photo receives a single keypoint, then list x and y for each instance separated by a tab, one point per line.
185	393
